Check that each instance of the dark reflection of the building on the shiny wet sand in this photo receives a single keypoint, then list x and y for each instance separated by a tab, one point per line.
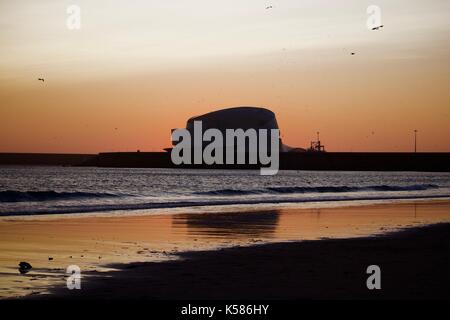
229	224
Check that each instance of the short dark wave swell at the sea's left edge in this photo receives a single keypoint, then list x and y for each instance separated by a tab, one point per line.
32	196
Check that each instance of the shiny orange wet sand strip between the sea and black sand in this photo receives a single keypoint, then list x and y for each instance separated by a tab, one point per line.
98	241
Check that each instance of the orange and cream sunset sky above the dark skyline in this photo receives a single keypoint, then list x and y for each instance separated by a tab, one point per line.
138	68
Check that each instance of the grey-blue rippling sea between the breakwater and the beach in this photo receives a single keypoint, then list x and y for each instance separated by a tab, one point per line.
35	190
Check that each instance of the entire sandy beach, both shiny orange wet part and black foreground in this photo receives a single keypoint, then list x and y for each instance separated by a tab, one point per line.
279	253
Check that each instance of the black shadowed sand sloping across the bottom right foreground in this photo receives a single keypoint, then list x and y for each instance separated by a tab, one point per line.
414	264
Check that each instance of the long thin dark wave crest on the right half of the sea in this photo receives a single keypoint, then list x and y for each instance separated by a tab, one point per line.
331	189
